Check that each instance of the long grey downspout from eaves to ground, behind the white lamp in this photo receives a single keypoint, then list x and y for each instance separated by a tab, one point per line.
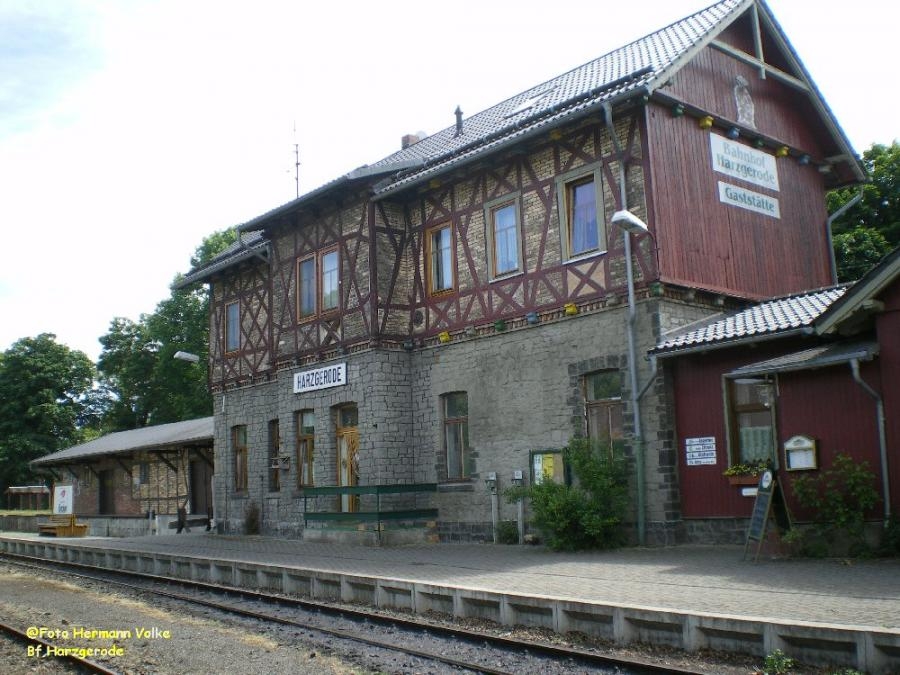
631	339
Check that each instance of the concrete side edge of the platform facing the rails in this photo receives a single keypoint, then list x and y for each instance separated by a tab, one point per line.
869	649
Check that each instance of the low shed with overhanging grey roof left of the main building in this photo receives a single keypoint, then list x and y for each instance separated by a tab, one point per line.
123	480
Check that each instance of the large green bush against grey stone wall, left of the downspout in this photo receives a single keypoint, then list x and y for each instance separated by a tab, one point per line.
587	514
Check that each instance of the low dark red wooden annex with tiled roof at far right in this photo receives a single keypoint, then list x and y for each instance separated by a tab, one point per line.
792	383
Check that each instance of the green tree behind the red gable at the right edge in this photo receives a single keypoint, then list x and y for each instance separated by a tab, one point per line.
870	228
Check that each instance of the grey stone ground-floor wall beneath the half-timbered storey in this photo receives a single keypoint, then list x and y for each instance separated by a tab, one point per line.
524	393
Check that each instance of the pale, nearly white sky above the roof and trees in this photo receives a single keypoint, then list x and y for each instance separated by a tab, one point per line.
131	129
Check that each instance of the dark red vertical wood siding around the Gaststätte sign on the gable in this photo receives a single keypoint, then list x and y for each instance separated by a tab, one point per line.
705	243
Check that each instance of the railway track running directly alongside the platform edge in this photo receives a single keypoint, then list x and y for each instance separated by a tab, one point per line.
356	624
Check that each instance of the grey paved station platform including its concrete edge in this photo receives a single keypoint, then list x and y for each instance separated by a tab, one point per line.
844	612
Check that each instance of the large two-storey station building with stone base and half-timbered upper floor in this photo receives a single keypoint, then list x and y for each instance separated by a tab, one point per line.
451	315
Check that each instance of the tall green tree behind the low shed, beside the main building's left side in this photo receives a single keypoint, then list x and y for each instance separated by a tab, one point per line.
145	383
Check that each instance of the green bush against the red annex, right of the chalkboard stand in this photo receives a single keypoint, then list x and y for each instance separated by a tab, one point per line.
839	498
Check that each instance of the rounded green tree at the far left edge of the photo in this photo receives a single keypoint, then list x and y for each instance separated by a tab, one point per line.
45	394
